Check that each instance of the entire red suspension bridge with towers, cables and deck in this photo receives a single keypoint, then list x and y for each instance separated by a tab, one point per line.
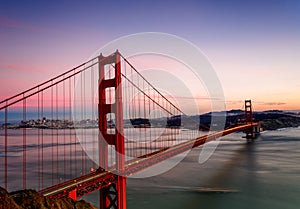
119	132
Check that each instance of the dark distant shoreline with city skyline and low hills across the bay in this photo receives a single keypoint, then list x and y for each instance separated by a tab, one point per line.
269	120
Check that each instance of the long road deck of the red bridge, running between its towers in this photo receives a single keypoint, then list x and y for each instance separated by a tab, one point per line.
94	181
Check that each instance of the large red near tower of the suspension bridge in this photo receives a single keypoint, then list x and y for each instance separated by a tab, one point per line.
113	196
